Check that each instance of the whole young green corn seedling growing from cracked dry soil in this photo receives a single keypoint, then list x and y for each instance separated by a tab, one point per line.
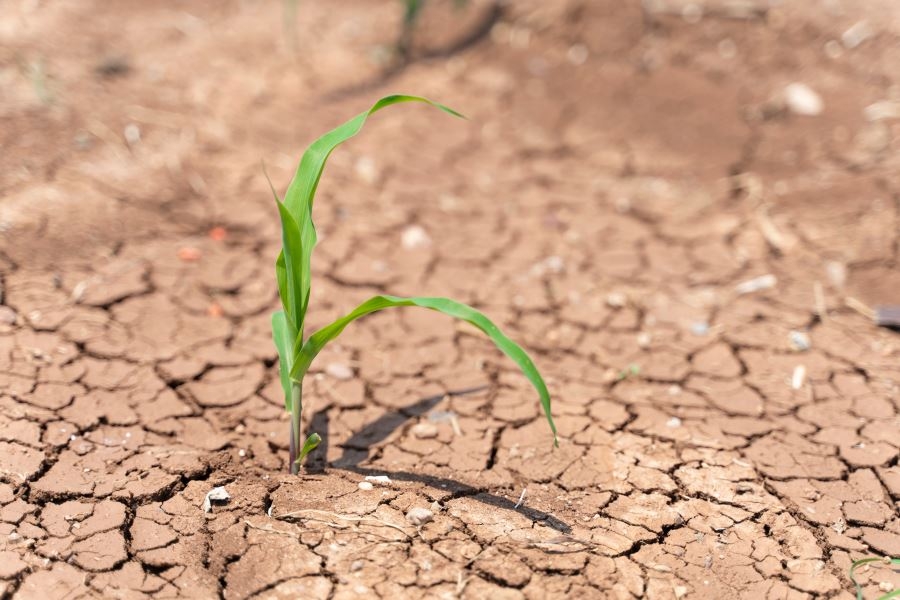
296	351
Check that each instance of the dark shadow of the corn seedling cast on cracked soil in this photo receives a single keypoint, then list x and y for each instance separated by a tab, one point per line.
356	451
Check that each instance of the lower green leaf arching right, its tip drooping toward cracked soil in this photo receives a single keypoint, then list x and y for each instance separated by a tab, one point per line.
319	339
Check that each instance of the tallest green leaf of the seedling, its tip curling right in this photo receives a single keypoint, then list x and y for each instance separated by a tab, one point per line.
300	194
